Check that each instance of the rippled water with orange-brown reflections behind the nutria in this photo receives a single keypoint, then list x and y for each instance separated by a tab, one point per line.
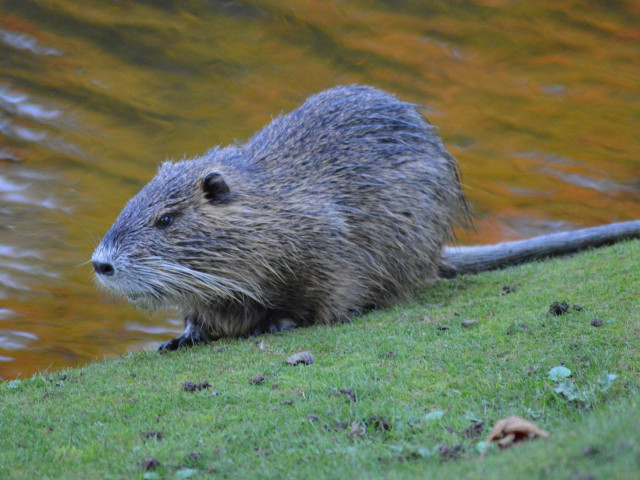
539	101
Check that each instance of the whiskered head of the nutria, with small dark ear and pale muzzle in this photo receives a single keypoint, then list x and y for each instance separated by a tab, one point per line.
160	251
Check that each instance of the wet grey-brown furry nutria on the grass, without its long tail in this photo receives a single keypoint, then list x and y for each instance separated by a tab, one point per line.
343	204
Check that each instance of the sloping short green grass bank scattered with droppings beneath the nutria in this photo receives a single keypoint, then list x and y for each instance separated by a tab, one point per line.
104	420
